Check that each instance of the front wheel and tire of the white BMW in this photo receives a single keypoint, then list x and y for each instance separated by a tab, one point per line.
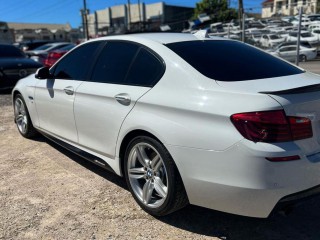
22	118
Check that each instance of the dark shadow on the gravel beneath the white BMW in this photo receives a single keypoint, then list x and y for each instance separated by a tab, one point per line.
302	223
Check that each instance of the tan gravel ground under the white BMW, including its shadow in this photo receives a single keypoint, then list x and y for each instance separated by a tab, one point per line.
49	193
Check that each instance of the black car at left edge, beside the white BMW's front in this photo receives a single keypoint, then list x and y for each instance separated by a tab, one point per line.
14	65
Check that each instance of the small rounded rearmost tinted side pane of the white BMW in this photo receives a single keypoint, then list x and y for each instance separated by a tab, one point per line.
146	70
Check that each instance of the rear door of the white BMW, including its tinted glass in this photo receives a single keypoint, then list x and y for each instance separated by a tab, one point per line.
123	73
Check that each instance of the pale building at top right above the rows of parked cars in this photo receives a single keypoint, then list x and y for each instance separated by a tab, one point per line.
272	8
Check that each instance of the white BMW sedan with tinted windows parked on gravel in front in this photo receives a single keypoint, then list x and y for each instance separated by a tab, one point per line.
184	118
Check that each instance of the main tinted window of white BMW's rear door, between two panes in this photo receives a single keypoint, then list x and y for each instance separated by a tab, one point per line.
114	62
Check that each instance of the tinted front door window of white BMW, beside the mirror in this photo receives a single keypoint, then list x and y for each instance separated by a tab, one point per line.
77	63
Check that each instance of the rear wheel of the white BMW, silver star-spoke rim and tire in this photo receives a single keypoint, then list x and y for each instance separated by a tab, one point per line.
165	169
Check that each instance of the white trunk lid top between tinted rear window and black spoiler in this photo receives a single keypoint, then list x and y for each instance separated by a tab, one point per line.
273	85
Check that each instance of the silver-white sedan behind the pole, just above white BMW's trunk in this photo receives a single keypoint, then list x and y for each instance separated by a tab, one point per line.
289	53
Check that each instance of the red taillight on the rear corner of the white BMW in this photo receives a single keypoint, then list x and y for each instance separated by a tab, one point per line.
271	126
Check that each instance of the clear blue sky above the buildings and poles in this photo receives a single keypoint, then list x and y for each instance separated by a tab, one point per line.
63	11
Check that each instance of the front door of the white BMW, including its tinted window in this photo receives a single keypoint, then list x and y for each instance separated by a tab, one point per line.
55	97
